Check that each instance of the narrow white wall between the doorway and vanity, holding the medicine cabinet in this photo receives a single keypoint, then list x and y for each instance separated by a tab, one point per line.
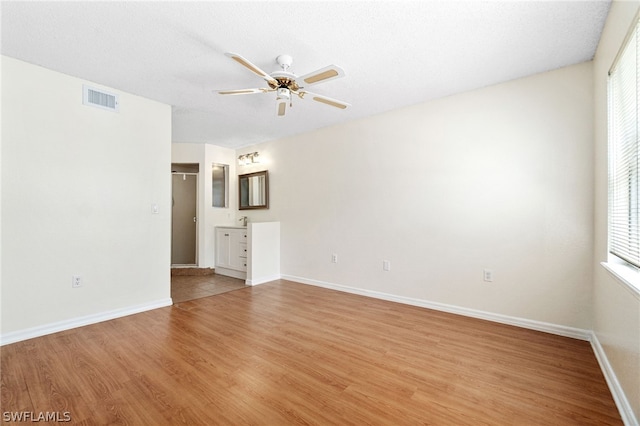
210	217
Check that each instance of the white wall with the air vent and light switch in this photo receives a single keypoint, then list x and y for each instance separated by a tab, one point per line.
78	184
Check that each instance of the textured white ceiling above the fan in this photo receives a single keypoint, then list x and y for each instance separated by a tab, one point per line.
394	53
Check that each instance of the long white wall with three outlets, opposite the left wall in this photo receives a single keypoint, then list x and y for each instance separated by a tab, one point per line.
496	178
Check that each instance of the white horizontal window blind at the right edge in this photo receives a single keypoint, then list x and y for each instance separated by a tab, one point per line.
624	188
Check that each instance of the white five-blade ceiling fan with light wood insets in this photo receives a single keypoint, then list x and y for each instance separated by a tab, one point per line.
287	85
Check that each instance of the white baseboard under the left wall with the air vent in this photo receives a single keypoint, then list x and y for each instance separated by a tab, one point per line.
30	333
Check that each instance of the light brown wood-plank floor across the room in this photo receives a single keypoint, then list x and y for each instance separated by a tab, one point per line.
285	353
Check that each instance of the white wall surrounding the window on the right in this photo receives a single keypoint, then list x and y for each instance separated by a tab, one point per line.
616	310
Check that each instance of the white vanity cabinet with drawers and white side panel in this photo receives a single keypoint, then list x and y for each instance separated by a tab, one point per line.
251	253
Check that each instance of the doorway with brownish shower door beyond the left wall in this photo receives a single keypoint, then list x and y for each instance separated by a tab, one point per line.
184	214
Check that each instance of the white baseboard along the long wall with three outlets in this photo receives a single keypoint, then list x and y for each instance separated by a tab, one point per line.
561	330
